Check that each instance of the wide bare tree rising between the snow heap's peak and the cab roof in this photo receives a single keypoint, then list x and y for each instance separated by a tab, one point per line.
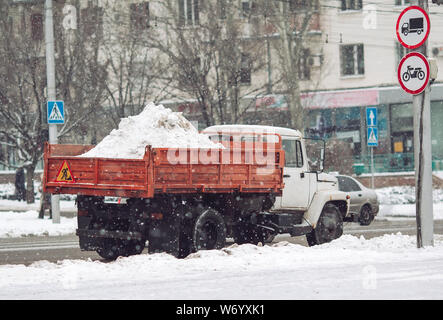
210	57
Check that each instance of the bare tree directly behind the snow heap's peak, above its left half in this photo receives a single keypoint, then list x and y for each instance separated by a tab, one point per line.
134	68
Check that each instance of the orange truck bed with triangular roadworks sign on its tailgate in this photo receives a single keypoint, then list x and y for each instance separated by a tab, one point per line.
238	168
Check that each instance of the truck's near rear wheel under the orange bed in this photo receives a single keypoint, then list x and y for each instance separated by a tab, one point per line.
209	231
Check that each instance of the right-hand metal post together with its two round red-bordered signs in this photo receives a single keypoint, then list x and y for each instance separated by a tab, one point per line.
413	74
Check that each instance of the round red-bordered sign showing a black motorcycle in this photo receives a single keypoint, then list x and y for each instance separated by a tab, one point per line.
413	73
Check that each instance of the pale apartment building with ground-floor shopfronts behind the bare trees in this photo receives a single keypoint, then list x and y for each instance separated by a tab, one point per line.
349	61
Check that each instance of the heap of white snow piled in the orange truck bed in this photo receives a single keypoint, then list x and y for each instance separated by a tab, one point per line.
156	126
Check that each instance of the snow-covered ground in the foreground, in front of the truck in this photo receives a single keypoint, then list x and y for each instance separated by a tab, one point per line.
388	267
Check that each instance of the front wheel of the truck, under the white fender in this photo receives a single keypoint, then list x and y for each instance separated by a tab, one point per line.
329	226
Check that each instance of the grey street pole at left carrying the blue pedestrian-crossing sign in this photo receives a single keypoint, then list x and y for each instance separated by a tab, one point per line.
51	92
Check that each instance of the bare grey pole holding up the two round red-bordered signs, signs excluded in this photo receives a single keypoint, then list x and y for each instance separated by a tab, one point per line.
423	158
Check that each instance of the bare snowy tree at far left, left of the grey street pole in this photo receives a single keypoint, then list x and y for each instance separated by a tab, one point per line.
22	83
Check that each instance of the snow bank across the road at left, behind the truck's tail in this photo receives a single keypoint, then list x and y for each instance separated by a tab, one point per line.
19	224
